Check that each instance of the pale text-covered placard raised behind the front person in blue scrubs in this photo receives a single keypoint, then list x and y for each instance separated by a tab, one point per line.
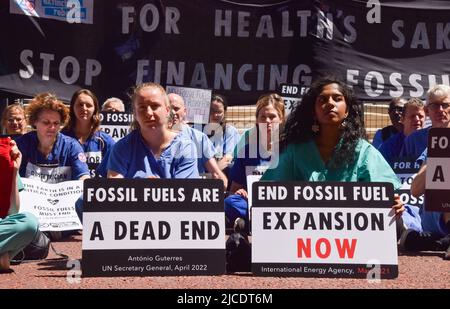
197	102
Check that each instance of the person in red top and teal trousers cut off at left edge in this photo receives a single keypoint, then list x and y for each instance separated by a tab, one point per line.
17	230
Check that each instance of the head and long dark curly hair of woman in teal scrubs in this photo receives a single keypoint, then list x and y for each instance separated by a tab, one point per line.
329	115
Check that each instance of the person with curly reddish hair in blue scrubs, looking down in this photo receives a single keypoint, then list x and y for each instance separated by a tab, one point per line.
47	154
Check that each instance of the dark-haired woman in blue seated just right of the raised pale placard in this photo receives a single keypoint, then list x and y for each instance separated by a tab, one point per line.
223	135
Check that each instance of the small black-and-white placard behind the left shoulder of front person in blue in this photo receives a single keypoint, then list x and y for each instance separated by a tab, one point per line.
116	124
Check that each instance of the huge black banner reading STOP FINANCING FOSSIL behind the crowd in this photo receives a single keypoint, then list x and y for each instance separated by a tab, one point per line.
237	49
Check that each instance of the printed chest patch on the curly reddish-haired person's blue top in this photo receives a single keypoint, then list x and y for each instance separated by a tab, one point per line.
48	174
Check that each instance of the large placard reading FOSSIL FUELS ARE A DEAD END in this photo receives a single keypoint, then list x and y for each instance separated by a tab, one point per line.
147	227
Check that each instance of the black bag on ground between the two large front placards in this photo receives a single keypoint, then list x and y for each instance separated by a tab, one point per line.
238	253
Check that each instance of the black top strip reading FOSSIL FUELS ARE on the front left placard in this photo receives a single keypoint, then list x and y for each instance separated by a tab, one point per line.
168	195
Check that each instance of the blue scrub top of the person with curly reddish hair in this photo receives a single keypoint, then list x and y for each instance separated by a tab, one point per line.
65	162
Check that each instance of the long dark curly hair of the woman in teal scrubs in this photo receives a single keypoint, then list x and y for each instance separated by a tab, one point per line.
298	128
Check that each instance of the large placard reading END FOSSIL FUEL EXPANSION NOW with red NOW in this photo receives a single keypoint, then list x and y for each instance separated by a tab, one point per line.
327	229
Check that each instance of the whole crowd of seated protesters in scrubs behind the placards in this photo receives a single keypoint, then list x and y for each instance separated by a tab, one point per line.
323	139
